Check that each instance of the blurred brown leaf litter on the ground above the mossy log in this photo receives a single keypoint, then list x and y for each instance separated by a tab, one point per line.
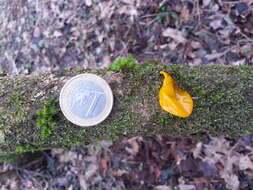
45	36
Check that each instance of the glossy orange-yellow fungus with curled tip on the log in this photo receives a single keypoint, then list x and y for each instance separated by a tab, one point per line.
173	99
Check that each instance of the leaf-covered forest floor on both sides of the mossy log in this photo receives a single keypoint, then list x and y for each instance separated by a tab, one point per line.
52	35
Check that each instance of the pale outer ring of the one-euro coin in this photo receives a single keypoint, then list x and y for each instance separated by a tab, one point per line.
95	120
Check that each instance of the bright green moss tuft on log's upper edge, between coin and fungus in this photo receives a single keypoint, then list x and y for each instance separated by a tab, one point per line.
124	63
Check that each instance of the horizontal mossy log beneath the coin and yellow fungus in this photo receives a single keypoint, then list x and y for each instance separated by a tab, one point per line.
223	105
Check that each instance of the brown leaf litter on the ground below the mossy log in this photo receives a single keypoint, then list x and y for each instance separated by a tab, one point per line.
161	163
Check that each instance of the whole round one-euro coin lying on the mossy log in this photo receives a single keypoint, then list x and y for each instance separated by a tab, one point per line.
86	100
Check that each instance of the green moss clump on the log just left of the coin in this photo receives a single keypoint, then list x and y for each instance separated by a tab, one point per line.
46	118
